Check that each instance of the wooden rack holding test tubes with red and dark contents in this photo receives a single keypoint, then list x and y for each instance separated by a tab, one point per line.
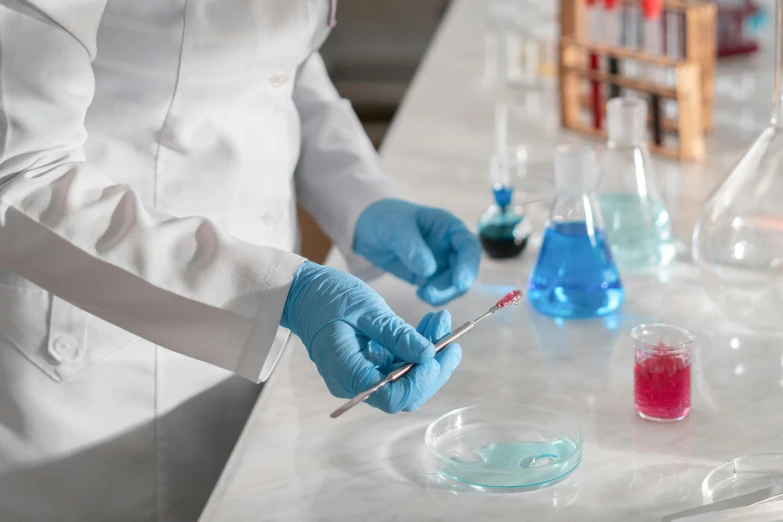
693	78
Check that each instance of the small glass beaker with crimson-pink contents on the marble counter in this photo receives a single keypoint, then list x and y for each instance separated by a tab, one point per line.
662	371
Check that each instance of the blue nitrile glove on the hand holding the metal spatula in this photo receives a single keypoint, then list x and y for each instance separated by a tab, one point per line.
355	339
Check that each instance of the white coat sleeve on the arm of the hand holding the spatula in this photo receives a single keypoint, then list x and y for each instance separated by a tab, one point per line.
179	282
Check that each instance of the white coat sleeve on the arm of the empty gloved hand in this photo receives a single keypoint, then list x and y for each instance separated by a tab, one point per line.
339	173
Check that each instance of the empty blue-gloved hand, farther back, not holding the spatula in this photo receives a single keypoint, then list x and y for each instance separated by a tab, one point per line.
427	247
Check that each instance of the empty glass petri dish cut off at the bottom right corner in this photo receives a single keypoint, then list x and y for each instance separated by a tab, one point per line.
742	475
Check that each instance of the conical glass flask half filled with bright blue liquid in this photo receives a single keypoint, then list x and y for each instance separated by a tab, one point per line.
575	275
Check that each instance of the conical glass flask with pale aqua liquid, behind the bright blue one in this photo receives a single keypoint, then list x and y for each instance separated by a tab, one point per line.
637	223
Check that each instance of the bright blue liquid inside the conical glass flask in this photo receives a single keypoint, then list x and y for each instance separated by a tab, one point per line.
575	276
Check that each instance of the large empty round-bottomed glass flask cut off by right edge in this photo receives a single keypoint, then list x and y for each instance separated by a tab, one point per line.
738	240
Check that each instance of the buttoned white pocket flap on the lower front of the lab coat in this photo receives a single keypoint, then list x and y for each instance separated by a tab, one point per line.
55	335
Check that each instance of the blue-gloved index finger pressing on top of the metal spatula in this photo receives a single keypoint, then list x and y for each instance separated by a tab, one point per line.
384	327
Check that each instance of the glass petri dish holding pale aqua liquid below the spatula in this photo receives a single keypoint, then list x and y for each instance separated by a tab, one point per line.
515	445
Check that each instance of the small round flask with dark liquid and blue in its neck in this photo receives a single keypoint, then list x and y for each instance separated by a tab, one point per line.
503	229
